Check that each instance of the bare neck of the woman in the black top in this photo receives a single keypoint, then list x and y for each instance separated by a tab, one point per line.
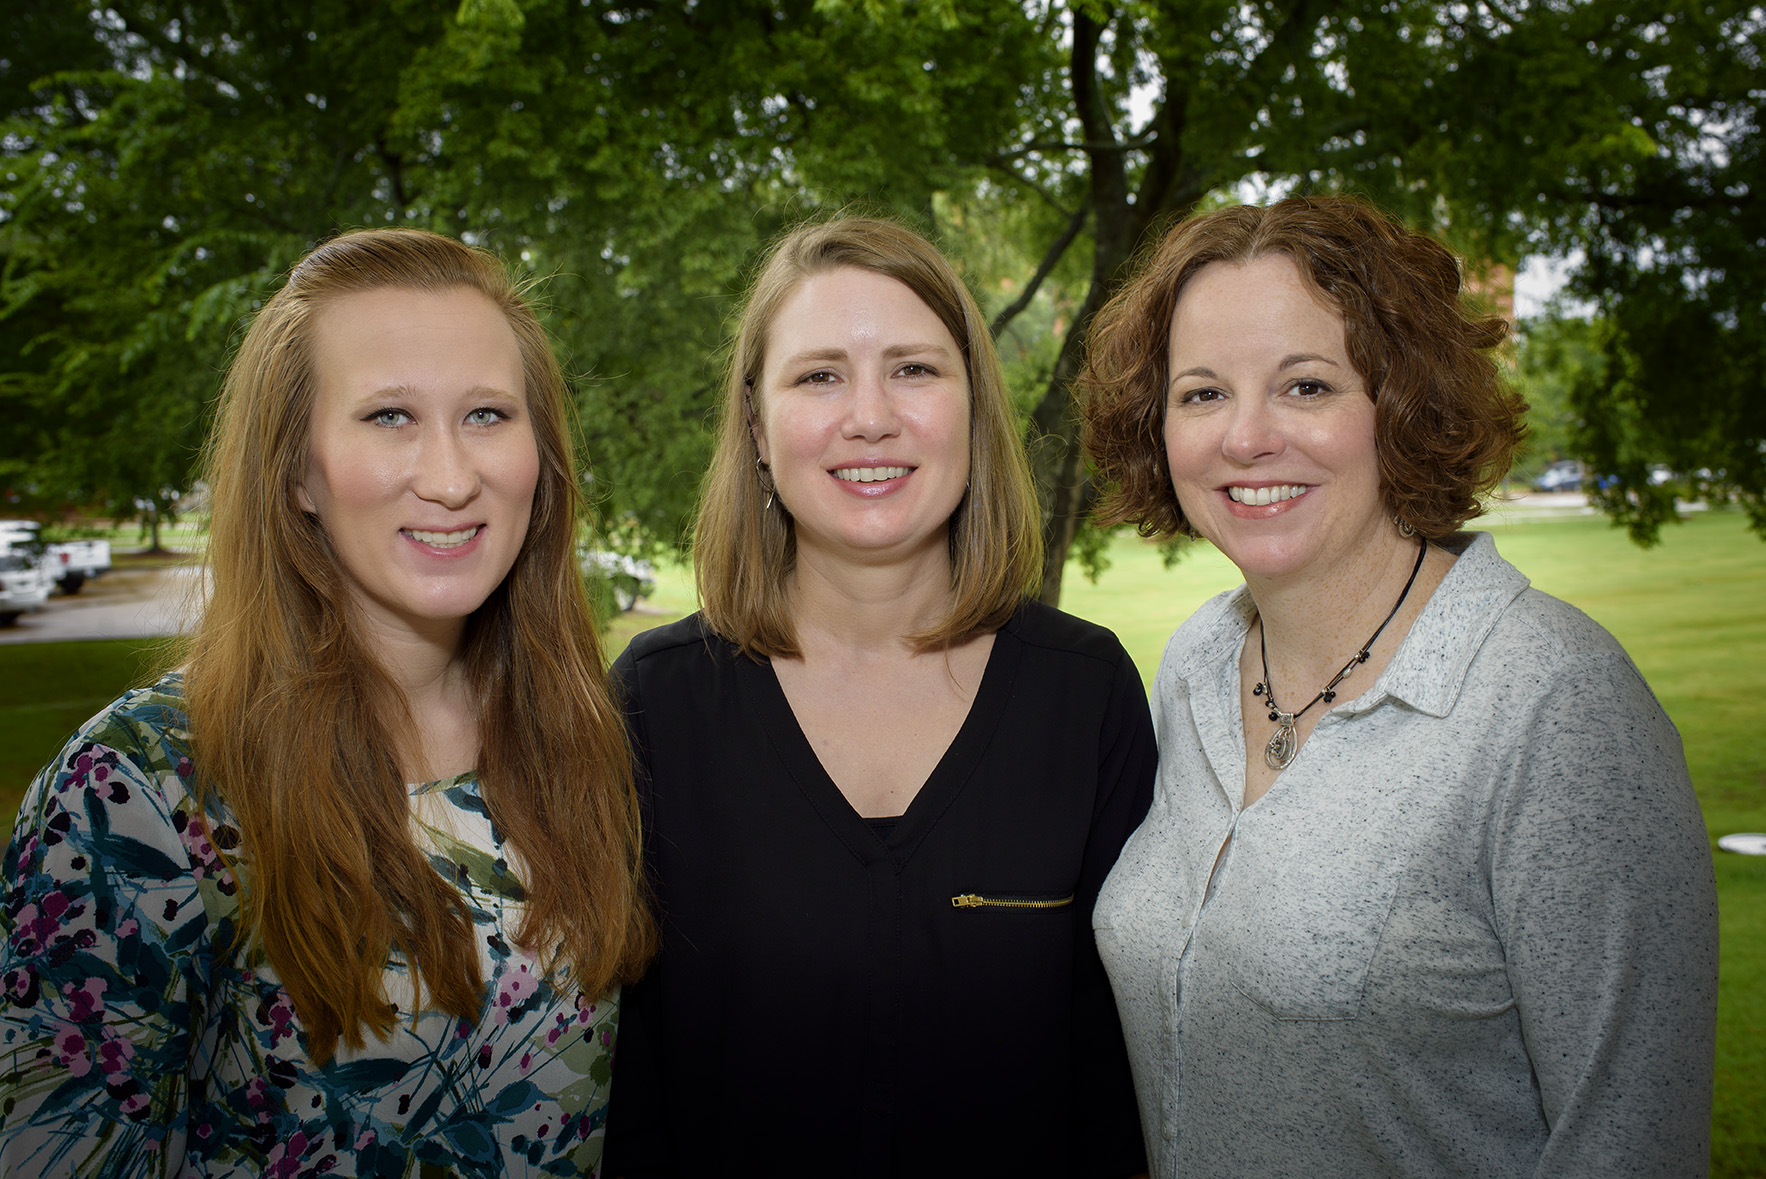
847	608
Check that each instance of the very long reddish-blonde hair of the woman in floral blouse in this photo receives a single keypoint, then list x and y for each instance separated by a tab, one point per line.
294	723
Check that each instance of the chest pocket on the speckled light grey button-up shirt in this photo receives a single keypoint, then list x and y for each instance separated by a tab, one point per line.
1302	910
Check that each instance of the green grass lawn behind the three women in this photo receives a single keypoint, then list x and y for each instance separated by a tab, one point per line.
1693	613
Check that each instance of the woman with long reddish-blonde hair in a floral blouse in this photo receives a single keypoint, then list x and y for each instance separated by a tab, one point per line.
238	940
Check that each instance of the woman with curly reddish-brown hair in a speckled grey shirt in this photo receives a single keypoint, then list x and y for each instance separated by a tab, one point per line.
1424	889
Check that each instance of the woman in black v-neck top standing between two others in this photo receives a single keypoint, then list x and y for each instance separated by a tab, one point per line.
882	786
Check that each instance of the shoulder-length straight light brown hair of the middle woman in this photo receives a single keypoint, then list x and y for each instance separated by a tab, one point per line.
744	546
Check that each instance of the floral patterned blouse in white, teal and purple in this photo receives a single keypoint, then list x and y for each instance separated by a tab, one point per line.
135	1040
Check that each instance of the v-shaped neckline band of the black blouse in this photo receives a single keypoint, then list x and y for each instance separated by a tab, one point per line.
942	786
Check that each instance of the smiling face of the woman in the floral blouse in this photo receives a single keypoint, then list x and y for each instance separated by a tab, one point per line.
421	460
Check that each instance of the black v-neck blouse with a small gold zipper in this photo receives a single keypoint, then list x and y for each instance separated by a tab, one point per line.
836	1000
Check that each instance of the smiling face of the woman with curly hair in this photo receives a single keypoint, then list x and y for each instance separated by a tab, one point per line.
1269	426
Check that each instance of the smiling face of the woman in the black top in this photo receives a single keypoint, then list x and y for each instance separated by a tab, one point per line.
864	419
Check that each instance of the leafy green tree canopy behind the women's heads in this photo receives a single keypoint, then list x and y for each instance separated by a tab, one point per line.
165	163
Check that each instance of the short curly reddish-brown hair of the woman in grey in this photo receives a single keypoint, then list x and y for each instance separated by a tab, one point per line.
1445	424
